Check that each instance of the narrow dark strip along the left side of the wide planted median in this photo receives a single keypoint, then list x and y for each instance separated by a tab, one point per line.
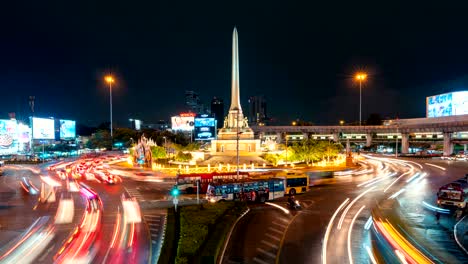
169	248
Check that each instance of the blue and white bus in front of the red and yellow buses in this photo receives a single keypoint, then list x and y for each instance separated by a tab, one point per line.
260	190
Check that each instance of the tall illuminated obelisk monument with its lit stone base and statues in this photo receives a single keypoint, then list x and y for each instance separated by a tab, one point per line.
235	124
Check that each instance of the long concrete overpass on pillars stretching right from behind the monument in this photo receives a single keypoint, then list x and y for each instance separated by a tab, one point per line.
449	130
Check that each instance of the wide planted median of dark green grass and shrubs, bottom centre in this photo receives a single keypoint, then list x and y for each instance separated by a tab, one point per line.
202	228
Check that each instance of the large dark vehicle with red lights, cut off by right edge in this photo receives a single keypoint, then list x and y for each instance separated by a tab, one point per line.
454	194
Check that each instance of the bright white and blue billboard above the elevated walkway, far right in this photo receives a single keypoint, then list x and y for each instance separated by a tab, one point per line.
448	104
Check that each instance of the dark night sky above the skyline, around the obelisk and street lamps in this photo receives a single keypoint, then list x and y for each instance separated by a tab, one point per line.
301	56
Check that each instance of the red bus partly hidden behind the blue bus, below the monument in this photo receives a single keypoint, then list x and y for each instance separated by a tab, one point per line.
188	182
